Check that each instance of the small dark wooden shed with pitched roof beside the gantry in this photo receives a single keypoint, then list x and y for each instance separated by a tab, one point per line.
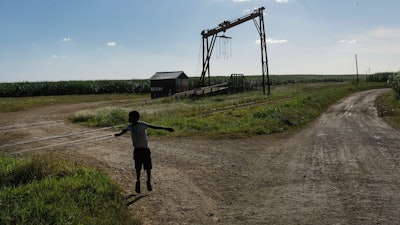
168	83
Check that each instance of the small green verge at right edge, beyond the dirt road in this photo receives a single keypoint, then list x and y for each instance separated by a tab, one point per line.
389	109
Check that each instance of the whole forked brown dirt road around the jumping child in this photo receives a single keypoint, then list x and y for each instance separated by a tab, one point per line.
342	169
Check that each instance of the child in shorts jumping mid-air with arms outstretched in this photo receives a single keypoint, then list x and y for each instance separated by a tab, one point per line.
141	152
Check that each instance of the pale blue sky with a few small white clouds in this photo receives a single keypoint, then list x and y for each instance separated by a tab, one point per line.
48	40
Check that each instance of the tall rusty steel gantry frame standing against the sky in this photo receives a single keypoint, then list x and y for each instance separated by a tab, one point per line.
210	36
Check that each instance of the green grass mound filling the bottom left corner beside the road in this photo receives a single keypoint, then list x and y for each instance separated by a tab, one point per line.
41	190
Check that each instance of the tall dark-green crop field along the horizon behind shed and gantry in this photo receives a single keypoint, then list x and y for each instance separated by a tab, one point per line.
51	88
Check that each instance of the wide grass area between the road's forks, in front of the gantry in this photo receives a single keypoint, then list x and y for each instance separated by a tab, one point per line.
290	107
